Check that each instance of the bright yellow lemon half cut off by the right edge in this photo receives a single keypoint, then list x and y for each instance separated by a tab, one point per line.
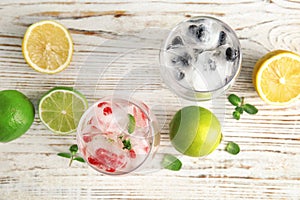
276	77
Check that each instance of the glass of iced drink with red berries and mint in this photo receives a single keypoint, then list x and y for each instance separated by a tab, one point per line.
116	136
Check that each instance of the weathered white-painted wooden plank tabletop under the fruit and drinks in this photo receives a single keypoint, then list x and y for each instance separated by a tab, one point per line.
116	47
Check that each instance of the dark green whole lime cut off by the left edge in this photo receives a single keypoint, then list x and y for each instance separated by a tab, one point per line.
16	114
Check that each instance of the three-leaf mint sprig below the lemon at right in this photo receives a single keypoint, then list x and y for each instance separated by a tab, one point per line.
241	106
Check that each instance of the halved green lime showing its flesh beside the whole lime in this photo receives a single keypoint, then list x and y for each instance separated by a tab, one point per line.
60	109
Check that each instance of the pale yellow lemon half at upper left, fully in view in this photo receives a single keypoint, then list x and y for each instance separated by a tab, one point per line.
47	47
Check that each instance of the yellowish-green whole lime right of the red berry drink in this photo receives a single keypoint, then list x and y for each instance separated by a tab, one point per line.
195	131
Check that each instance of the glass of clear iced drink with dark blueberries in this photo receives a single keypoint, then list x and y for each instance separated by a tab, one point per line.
200	58
